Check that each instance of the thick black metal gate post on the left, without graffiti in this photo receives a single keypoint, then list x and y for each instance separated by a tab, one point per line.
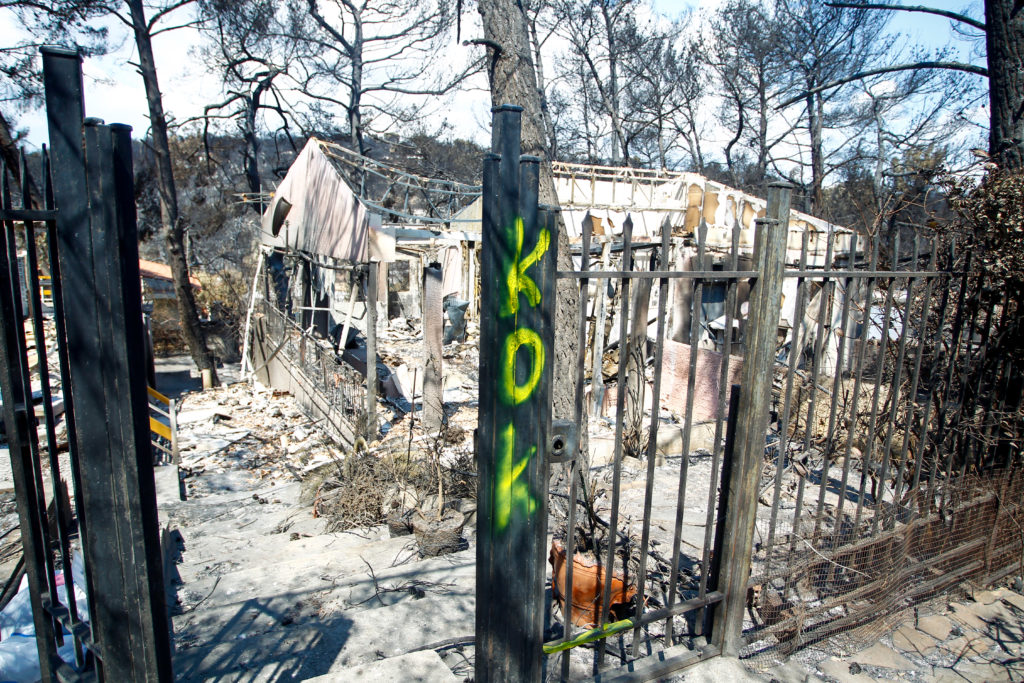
98	250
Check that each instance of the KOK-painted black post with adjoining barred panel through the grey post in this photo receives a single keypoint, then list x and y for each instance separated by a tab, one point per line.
644	601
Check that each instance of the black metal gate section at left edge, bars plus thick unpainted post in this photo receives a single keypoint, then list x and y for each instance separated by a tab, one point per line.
86	241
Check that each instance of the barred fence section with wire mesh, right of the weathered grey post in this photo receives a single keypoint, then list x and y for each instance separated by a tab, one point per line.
890	474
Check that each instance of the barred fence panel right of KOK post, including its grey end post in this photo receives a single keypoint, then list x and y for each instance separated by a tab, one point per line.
656	549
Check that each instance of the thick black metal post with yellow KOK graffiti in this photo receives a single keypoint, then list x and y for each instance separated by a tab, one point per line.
515	420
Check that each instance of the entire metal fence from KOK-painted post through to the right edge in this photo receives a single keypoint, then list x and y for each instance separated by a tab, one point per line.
824	440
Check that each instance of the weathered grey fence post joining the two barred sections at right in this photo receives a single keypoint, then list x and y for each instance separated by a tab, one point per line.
752	419
